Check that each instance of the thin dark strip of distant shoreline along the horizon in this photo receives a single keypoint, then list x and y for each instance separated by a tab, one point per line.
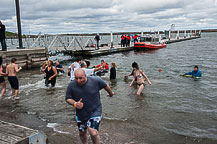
11	35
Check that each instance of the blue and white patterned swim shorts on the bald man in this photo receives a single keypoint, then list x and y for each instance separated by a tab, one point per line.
93	122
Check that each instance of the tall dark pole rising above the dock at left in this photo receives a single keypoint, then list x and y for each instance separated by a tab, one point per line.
19	24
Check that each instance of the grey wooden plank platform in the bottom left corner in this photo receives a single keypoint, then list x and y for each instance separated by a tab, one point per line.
16	134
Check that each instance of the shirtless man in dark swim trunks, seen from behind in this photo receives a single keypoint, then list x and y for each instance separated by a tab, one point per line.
11	71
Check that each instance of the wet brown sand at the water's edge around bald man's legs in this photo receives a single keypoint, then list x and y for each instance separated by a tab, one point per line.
111	131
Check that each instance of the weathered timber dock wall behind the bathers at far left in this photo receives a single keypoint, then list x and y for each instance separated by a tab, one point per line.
27	58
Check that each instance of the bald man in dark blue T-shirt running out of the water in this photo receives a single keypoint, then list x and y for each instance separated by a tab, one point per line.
83	94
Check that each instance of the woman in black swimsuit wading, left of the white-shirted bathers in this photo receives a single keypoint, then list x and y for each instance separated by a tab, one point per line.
50	74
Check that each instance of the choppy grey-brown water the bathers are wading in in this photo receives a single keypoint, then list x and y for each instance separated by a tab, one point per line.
171	110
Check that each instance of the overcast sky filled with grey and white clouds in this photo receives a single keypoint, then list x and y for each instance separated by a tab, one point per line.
97	16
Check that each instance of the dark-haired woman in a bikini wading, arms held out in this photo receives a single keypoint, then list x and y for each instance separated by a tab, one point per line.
138	77
